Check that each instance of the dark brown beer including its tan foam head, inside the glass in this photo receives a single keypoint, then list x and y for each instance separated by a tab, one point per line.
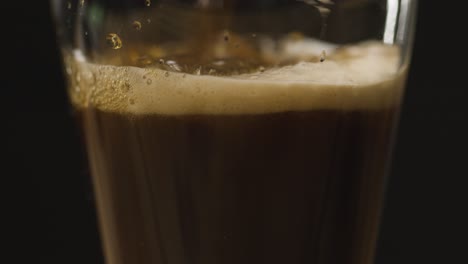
280	166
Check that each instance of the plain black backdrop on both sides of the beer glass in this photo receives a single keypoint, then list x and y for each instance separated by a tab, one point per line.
49	204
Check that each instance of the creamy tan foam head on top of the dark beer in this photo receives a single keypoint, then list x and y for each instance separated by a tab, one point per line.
363	76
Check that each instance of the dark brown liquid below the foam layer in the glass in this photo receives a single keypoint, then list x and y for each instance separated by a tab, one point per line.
290	187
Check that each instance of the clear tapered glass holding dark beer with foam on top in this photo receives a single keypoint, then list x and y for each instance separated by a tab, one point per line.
236	132
